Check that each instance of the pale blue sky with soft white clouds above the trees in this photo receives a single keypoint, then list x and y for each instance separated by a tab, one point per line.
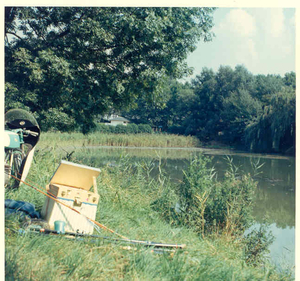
261	39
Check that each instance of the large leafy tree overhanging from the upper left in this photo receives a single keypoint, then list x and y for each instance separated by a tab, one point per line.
69	64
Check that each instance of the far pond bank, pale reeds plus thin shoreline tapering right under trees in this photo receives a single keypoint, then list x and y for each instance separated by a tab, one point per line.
139	142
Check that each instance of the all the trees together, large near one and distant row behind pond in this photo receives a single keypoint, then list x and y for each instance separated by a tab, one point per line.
68	65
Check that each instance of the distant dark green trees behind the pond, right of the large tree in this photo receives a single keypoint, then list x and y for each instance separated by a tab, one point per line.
231	106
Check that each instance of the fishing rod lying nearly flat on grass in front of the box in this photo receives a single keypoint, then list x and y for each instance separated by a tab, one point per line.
130	241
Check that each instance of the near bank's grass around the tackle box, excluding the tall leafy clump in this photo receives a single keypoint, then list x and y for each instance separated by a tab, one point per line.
127	196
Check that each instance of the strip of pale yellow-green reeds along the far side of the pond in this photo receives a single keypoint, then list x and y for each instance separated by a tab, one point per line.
134	140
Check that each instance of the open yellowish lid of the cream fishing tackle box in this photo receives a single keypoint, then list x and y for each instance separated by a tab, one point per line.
74	175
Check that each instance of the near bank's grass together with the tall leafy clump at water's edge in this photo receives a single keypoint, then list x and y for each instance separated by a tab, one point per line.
140	206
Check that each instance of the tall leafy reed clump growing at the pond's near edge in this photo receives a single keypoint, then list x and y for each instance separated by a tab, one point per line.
209	205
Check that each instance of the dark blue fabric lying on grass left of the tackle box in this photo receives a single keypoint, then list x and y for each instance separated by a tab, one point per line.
25	208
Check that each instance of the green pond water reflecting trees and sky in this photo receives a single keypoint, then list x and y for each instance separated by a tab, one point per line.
275	196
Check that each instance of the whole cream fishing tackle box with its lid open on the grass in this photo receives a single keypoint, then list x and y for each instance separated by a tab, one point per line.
71	184
